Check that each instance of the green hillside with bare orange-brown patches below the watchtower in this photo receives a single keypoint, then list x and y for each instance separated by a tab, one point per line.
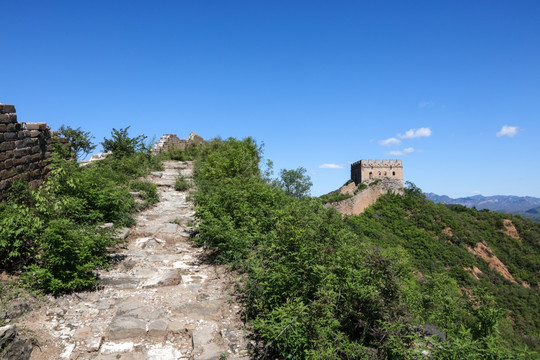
483	251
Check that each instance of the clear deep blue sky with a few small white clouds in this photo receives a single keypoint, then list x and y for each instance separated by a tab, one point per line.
450	87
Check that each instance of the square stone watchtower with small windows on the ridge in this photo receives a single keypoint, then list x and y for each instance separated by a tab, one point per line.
367	170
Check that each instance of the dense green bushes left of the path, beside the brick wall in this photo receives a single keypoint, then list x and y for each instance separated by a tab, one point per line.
53	236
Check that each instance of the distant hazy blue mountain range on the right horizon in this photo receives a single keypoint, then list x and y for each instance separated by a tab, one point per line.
527	206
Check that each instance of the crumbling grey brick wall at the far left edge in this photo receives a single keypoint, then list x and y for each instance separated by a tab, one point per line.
24	149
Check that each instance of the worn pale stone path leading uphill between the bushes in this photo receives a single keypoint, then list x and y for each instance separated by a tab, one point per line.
160	301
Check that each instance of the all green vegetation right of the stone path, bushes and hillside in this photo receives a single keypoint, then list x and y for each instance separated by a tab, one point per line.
389	284
